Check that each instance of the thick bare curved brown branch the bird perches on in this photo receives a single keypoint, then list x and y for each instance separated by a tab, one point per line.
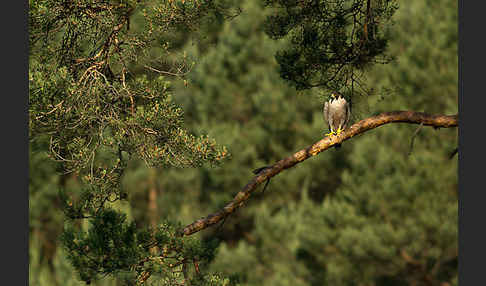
437	121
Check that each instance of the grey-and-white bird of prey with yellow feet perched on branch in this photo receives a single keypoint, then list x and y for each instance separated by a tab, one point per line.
337	112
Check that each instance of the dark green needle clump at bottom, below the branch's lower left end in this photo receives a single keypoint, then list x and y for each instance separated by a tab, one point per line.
111	245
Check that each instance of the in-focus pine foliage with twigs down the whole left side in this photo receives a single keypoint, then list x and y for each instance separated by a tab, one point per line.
98	116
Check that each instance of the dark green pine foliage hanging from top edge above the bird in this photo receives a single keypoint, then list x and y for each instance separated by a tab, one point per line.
330	43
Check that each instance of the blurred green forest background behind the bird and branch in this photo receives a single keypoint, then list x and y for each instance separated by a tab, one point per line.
371	213
